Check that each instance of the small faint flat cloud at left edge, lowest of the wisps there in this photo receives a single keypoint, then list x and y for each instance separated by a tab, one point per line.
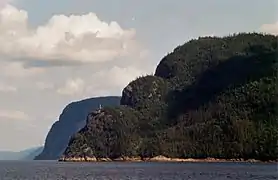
13	115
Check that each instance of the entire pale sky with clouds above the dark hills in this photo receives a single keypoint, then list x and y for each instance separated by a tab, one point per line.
55	52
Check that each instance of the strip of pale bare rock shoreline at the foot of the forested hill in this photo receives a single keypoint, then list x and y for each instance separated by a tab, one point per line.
158	159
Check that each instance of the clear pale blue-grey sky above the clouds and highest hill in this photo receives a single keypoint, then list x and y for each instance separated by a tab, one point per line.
168	21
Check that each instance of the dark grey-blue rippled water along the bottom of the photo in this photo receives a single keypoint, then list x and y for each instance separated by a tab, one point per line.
52	170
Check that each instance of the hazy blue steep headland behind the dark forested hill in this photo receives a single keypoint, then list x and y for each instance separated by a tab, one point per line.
72	119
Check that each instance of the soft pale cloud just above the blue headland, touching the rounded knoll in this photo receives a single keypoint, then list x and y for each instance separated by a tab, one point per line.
103	82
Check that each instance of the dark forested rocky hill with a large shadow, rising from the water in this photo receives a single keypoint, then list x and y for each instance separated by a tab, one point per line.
211	97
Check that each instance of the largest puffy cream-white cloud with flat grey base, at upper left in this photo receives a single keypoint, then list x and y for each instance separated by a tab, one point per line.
63	40
